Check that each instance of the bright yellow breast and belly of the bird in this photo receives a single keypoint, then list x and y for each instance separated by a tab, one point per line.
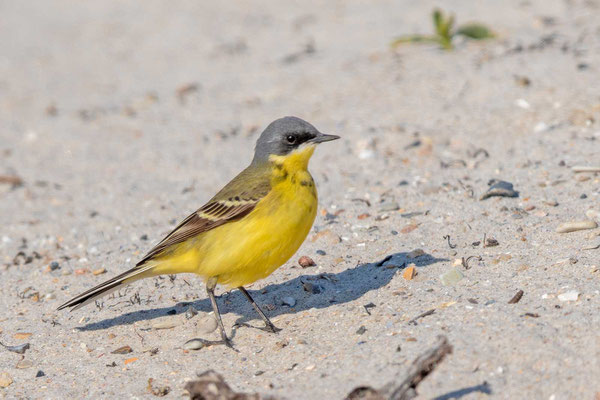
241	252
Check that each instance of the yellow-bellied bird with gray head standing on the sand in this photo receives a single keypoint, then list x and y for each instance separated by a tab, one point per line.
245	232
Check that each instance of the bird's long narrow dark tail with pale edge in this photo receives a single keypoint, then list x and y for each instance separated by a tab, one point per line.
105	288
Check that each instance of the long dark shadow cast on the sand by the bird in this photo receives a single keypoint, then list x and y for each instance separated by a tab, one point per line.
307	291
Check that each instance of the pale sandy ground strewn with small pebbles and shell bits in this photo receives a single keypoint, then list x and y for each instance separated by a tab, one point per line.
122	118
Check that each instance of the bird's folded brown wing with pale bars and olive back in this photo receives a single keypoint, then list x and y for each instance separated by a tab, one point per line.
234	201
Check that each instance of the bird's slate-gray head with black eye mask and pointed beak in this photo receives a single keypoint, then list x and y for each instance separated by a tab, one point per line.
285	135
